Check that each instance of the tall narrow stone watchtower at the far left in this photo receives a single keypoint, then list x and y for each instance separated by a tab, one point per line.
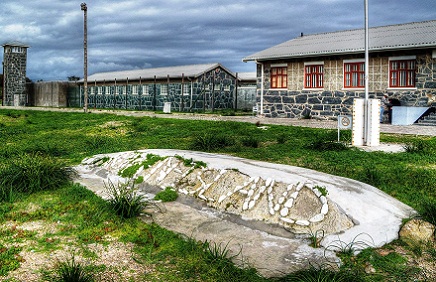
14	74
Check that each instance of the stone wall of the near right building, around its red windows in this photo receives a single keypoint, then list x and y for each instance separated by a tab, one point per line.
334	99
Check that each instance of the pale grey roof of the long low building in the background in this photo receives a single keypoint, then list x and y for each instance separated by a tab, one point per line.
160	73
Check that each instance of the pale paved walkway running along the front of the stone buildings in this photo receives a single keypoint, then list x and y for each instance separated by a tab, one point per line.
385	128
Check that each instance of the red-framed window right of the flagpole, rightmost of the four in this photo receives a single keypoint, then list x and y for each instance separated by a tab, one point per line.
402	73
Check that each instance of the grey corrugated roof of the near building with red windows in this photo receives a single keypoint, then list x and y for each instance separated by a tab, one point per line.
384	38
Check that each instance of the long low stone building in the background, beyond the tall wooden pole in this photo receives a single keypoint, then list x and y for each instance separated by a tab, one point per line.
185	88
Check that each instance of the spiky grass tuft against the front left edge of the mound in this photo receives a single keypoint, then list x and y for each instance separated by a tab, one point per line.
125	199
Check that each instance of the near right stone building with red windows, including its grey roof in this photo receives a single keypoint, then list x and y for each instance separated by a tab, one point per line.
320	75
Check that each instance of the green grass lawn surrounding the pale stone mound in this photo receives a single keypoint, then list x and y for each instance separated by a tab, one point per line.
42	144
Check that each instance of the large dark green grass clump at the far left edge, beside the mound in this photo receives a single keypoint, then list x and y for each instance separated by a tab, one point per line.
34	172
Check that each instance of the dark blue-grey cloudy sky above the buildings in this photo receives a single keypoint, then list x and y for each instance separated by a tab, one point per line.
137	34
